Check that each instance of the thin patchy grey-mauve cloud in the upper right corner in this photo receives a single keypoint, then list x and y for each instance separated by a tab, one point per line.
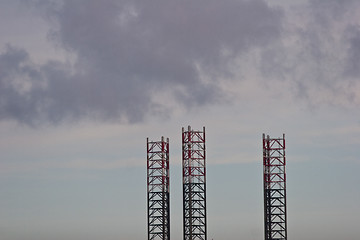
319	52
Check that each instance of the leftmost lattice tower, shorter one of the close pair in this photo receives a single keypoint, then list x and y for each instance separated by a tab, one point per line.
158	188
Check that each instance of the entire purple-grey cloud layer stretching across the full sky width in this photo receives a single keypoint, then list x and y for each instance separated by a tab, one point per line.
133	59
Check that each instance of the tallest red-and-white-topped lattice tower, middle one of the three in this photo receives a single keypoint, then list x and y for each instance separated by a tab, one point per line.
194	184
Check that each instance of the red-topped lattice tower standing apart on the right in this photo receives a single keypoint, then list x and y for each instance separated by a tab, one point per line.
274	188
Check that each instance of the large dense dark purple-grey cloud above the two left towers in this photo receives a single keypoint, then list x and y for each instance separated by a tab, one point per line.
129	53
